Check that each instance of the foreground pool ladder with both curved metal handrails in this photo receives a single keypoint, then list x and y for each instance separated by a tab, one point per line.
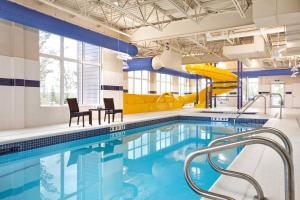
244	139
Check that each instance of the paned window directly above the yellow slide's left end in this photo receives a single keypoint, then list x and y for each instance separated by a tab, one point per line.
138	82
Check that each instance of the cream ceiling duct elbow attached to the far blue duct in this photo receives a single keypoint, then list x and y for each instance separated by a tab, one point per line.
168	59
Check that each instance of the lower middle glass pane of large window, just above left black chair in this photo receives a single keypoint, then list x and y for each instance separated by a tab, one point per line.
71	80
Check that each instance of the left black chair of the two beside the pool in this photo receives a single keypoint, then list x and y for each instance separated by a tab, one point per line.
74	111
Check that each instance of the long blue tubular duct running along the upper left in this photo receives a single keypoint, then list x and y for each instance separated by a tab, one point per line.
28	17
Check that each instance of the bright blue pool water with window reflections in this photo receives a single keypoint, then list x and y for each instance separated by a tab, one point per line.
143	163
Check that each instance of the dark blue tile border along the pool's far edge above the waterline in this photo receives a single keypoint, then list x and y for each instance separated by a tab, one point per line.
57	139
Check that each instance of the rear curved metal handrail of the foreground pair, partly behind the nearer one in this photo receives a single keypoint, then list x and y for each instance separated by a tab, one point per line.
252	181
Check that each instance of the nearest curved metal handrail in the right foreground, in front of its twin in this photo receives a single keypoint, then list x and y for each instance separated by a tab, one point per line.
288	166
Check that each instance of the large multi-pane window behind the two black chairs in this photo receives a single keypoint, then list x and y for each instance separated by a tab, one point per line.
68	68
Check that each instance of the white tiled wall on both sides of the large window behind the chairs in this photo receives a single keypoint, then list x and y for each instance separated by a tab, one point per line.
19	59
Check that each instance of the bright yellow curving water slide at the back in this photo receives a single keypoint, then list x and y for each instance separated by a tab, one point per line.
225	81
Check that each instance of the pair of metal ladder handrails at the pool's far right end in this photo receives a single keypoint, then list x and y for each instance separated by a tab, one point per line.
243	109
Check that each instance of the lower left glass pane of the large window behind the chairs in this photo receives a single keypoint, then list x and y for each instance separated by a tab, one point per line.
50	81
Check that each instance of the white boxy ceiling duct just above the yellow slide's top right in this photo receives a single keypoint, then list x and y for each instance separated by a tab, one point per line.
255	50
